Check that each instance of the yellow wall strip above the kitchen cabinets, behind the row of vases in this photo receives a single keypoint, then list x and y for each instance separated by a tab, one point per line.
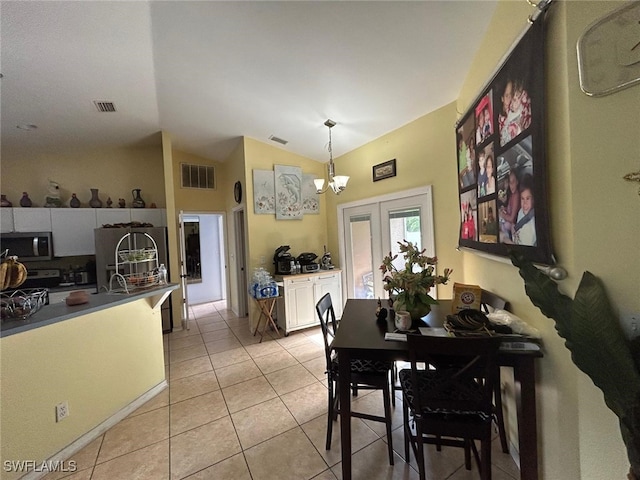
114	172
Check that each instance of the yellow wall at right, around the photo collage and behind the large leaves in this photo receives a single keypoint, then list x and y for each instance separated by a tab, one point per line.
591	144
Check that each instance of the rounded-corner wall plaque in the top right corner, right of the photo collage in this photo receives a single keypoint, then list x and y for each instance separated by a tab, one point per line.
609	52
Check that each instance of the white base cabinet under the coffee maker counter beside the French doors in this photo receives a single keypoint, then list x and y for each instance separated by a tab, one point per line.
300	293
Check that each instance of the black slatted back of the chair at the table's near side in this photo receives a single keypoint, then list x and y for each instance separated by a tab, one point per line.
462	379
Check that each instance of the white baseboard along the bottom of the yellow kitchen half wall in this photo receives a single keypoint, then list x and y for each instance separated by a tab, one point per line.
94	433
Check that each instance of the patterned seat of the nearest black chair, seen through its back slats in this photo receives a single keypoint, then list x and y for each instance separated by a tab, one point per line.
427	379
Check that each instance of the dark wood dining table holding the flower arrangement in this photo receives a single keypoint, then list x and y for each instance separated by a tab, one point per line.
361	335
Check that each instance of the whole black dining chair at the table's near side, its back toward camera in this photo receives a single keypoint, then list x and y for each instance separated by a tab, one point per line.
451	404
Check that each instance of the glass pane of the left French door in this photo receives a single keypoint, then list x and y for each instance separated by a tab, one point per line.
361	258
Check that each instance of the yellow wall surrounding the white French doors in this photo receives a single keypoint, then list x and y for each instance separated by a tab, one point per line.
425	155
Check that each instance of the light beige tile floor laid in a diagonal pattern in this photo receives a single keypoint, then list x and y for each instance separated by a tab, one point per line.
242	410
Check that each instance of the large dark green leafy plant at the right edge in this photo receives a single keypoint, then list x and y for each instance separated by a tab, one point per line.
598	346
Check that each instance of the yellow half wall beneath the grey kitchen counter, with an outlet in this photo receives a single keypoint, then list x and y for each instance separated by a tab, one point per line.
80	360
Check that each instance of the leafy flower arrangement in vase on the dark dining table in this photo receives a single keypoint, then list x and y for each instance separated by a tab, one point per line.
412	285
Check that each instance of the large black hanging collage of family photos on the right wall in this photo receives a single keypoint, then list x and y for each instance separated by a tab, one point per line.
501	160
